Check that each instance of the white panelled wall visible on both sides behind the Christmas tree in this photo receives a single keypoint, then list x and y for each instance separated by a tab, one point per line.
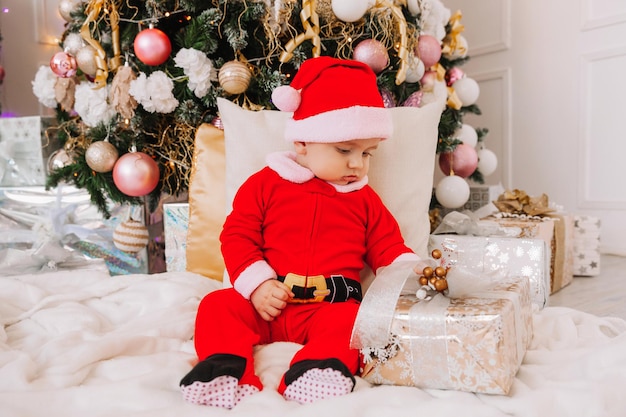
552	93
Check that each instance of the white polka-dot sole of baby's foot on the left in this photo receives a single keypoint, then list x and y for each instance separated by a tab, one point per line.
223	391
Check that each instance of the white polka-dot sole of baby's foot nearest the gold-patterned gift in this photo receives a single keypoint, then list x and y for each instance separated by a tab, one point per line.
317	384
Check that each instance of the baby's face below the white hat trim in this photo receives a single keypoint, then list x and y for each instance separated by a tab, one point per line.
339	163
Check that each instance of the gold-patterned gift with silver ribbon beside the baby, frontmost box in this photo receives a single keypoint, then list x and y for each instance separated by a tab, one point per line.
473	341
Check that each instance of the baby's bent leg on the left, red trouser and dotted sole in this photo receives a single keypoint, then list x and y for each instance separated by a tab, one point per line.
227	329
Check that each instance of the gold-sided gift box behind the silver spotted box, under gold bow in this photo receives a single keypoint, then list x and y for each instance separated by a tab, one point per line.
557	230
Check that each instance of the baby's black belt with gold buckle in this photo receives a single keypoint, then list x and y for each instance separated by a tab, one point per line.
312	289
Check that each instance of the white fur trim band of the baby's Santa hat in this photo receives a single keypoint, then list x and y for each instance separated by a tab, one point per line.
357	122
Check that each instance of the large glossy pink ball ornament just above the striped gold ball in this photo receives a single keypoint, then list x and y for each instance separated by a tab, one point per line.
136	174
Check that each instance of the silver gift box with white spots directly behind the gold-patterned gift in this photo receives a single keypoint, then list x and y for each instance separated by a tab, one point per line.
524	257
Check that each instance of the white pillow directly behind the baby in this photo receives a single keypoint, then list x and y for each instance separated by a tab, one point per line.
401	171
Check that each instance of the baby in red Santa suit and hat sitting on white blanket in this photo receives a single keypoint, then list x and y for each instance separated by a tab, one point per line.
299	234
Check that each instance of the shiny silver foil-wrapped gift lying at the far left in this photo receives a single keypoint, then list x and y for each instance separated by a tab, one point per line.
31	217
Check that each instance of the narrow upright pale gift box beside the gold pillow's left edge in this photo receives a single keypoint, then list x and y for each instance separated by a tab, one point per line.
175	224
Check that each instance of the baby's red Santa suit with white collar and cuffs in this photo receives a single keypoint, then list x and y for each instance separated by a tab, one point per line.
285	221
